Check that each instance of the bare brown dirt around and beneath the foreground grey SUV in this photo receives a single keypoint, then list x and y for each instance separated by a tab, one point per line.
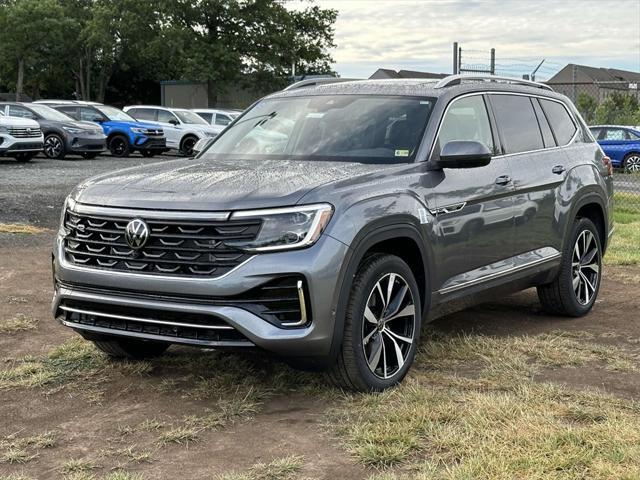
121	426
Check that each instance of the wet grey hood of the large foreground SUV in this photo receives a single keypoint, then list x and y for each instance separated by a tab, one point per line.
215	185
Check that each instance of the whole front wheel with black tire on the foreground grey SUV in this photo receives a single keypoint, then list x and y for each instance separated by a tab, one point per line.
351	369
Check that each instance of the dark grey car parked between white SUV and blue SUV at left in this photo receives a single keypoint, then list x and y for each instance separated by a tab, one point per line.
62	134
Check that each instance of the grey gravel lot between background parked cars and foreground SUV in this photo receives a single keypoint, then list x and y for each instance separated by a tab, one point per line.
33	193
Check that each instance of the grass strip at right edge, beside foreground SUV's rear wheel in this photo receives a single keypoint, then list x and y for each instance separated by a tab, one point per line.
625	243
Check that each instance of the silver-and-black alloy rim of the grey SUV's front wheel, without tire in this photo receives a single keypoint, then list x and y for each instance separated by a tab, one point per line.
388	327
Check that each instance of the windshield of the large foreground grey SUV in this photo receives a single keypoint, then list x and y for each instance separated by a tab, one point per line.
360	128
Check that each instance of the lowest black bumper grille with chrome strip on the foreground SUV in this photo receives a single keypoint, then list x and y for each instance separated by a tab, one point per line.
188	327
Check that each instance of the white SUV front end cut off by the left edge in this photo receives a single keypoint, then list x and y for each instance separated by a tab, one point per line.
20	138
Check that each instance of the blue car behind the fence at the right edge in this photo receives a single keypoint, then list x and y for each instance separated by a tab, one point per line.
620	144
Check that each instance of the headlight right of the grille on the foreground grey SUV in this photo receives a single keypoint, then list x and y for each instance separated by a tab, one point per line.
285	228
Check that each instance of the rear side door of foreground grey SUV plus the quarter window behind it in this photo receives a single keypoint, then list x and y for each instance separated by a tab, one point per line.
539	167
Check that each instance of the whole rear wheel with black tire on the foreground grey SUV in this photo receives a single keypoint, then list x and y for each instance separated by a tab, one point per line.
561	297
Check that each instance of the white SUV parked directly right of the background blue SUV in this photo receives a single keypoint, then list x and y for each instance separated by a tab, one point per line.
182	127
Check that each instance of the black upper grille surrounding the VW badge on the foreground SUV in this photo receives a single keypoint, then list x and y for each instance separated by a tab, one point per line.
178	248
